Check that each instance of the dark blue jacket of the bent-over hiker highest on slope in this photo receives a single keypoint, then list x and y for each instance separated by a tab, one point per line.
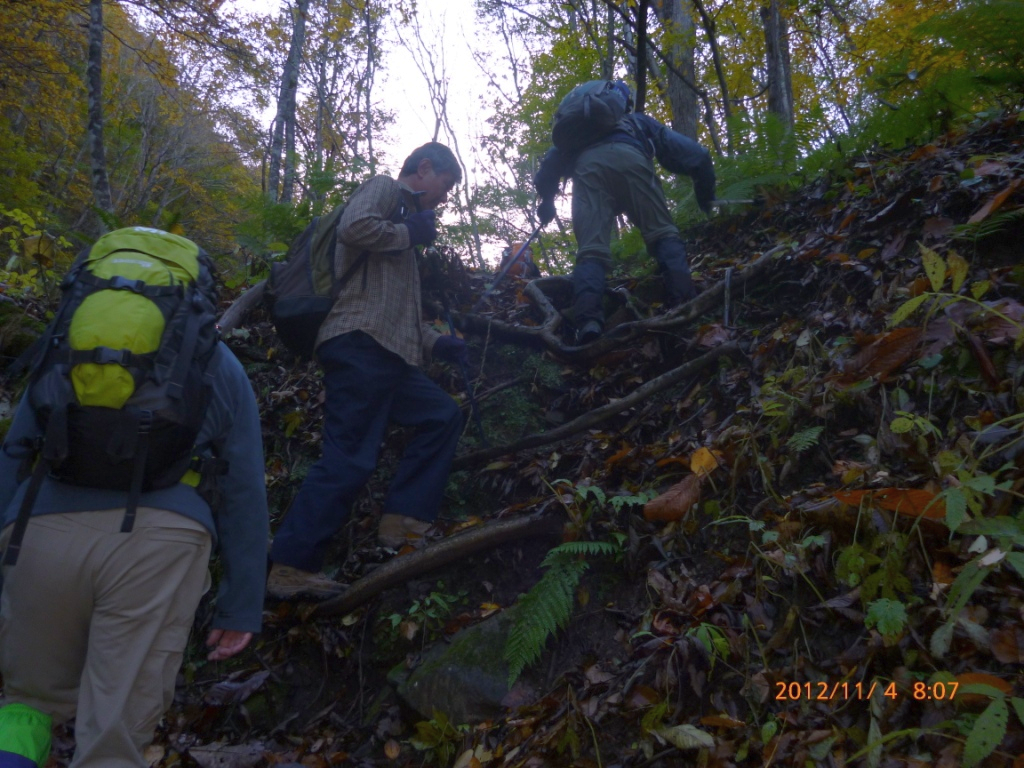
675	152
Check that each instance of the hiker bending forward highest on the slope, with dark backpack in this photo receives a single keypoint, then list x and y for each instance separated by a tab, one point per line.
608	151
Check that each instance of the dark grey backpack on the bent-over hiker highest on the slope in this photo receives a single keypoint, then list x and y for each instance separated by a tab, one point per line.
589	113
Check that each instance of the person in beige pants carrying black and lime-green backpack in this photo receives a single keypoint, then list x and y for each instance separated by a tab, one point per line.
136	450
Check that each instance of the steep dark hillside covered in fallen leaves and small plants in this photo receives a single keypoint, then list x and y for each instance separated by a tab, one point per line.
810	480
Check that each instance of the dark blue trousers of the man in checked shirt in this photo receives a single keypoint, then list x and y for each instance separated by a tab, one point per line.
369	387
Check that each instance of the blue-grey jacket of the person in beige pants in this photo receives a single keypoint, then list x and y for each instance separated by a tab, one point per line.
241	530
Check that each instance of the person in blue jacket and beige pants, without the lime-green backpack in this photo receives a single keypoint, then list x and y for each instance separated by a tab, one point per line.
94	623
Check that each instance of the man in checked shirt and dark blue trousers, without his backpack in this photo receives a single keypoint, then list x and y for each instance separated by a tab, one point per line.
372	347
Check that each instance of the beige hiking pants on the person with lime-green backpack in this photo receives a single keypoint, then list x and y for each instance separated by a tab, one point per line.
94	624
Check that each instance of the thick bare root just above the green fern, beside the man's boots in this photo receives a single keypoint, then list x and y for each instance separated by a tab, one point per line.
436	556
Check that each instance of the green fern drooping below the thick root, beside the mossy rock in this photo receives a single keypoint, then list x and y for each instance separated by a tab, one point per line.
547	608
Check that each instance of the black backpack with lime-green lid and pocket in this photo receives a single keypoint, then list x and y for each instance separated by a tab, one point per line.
119	383
